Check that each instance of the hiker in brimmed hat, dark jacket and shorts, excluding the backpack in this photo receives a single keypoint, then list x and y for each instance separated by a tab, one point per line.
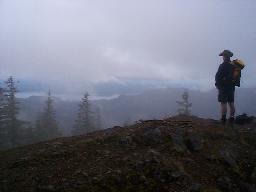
226	87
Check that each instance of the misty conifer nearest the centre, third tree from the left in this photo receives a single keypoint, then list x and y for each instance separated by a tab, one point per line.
83	123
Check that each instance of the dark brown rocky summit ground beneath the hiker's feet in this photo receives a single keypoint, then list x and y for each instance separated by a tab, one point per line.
173	154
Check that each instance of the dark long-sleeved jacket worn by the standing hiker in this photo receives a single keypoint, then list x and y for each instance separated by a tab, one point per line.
224	76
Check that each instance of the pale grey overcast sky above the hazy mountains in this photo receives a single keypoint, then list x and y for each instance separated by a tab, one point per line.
110	40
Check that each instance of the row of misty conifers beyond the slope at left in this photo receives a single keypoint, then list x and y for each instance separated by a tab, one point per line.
15	132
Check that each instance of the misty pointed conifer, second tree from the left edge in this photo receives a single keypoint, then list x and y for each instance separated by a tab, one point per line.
47	126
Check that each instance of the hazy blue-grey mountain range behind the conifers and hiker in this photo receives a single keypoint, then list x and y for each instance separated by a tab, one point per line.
150	104
